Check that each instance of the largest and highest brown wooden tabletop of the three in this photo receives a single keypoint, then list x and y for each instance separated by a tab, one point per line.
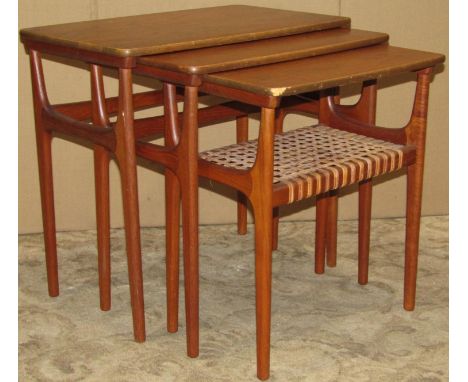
181	30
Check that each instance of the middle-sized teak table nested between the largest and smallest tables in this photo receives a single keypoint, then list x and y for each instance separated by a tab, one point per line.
190	69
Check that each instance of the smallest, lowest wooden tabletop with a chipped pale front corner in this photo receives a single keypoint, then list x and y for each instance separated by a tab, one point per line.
336	69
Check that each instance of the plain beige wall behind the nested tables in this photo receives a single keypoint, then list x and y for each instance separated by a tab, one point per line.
419	24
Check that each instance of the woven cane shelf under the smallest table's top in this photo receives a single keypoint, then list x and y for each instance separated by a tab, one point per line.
315	159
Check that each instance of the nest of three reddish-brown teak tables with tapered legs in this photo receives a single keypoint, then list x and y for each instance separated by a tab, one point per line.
256	57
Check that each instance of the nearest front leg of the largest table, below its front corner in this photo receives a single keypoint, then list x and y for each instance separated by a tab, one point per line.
125	155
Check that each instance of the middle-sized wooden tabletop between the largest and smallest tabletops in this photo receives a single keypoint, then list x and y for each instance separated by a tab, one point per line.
267	51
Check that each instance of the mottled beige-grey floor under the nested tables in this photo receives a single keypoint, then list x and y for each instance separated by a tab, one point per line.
324	328
